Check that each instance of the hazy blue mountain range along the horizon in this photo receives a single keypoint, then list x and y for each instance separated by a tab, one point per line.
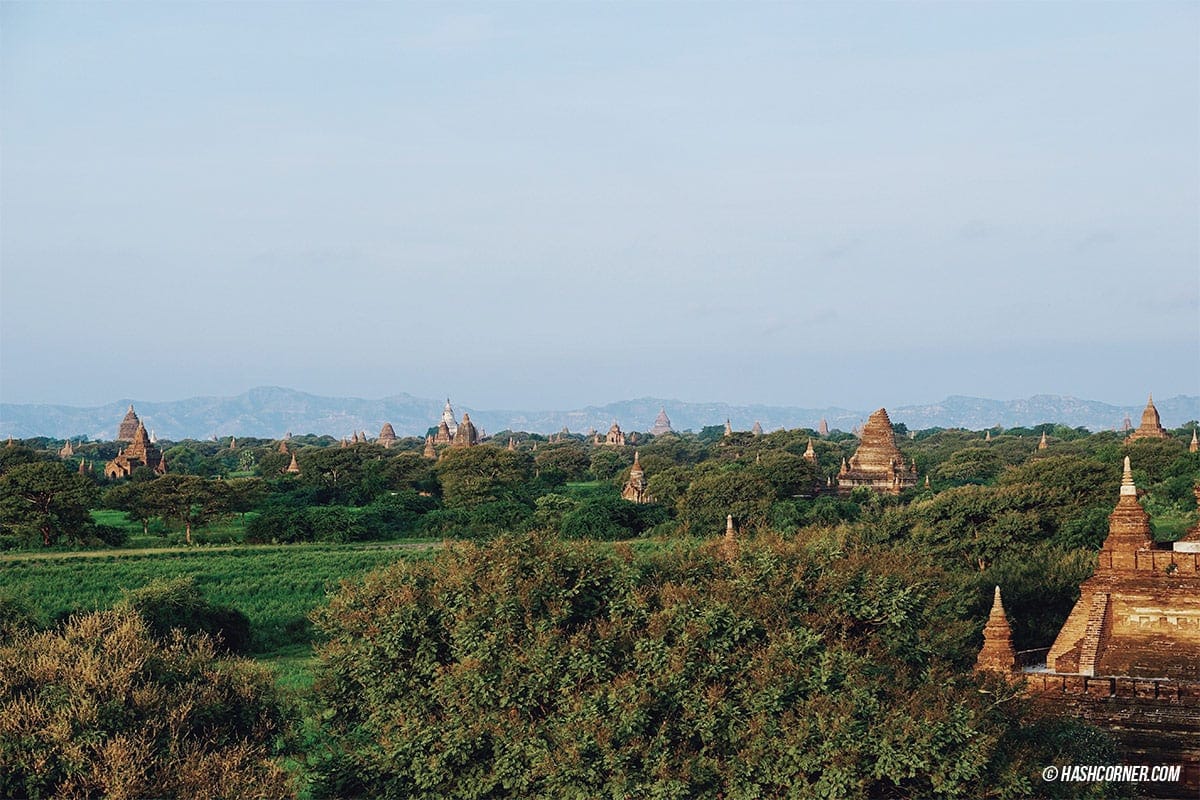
269	412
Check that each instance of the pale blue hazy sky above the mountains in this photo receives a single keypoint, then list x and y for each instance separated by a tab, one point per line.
549	206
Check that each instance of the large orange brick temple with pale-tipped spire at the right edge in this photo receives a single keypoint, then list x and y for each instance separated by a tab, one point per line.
1129	657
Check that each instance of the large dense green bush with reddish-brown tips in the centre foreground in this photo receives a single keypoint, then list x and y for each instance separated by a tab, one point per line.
533	667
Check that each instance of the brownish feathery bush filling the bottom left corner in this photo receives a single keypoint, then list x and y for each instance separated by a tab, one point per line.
103	708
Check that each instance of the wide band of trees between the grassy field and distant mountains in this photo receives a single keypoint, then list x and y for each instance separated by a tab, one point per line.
569	486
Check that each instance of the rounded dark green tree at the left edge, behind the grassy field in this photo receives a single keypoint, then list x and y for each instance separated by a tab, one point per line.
47	501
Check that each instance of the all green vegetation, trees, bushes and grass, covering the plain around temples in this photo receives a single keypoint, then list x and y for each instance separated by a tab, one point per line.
560	641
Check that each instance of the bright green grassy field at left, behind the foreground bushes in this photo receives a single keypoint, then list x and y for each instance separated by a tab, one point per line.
277	587
